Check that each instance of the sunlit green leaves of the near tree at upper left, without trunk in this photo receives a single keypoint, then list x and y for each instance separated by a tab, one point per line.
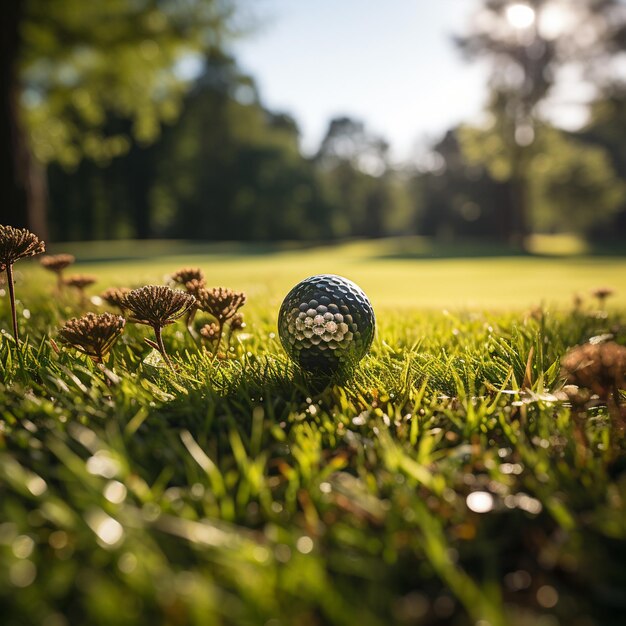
83	63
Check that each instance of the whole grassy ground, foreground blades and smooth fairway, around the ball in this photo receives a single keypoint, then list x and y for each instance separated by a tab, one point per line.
447	482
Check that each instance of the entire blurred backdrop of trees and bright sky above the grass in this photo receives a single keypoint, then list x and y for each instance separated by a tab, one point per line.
495	121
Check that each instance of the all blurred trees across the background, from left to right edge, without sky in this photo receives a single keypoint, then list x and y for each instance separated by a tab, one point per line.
122	146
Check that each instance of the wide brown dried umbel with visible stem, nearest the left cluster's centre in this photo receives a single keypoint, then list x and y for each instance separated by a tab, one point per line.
157	306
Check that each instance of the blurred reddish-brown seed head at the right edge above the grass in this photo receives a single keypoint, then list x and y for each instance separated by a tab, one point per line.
600	367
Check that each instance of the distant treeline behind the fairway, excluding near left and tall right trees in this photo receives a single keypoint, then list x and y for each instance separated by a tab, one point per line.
229	169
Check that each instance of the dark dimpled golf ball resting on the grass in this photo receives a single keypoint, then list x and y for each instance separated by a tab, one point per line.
326	324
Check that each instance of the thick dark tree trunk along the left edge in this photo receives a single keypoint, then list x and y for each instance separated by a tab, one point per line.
22	179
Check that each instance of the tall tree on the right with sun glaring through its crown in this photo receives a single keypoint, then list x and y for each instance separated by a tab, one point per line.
529	45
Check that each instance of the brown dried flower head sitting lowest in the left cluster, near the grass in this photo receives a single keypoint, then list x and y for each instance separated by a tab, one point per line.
93	334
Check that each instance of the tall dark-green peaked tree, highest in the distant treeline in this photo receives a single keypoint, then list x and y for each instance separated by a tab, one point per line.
232	170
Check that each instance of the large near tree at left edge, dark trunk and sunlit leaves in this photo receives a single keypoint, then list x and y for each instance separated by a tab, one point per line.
68	66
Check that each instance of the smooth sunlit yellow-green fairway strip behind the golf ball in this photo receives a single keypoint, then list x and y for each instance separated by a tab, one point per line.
384	269
